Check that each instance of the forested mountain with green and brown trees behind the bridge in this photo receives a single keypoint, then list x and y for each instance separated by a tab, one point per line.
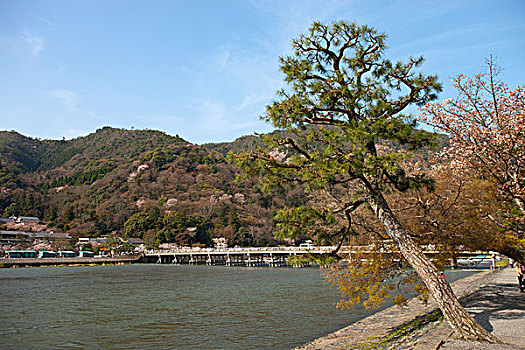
139	183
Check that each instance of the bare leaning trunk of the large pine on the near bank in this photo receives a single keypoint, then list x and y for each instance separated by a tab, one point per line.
464	325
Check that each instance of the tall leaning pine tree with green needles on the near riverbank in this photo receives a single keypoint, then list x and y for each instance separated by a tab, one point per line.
343	101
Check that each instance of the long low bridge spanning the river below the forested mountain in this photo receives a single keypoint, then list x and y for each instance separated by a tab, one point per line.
259	256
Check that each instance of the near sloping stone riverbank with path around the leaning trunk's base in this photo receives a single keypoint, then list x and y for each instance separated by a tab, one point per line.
493	299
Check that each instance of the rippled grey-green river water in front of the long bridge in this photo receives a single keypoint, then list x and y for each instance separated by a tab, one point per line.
167	307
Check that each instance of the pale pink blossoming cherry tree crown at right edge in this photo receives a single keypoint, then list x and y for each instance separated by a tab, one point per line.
486	125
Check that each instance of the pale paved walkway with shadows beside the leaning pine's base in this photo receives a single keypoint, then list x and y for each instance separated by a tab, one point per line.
500	308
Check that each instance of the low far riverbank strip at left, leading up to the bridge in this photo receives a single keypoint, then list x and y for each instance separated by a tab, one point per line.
78	261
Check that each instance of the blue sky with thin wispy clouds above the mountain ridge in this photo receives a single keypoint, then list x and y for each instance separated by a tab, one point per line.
205	70
